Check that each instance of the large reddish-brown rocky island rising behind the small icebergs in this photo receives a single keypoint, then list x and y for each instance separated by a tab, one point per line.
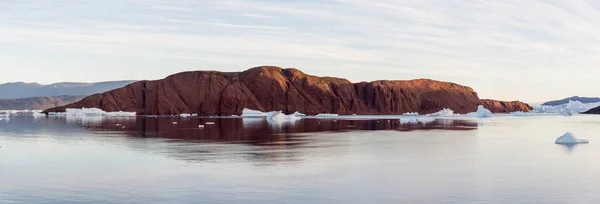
274	88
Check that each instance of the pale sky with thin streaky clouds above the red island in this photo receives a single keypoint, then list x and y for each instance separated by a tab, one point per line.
532	51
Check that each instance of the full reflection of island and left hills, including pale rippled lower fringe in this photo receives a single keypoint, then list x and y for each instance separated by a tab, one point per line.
253	139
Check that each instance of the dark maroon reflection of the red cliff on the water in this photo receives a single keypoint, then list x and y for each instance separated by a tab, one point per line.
256	131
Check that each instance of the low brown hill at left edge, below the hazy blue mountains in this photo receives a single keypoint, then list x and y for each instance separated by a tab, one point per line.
37	103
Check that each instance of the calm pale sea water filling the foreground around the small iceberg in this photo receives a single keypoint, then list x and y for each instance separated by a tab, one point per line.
151	160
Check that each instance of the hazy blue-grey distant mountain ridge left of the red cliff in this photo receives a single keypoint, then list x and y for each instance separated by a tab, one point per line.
21	90
